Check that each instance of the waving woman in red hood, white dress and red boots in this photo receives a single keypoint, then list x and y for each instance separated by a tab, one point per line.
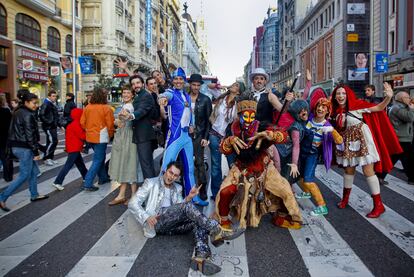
359	146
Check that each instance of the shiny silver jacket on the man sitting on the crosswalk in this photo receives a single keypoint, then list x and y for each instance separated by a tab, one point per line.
152	193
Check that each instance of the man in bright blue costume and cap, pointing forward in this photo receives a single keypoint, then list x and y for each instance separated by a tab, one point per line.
180	123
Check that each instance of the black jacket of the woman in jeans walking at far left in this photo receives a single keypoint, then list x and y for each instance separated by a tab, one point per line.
24	131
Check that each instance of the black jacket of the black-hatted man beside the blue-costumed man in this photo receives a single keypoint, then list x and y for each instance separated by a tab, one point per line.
202	112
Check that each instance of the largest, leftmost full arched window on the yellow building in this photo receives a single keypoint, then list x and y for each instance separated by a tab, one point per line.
27	29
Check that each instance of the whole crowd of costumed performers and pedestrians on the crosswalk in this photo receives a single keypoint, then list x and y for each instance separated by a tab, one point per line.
270	141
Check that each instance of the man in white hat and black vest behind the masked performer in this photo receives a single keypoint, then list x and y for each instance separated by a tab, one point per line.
266	100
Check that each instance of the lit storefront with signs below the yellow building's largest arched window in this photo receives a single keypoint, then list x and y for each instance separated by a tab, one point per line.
32	71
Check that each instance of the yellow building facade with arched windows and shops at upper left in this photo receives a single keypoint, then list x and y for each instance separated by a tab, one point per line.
35	36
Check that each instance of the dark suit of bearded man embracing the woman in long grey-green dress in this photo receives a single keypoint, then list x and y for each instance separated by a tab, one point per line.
143	133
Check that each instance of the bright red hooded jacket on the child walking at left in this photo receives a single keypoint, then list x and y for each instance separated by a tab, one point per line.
75	135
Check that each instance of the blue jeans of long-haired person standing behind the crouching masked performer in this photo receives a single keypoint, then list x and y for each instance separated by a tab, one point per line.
216	174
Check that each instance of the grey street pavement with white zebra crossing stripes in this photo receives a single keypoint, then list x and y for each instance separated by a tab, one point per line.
76	233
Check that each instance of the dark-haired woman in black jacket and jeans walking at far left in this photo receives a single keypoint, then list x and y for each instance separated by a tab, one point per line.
24	142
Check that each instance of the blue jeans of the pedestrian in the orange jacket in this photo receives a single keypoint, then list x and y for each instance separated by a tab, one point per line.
98	165
